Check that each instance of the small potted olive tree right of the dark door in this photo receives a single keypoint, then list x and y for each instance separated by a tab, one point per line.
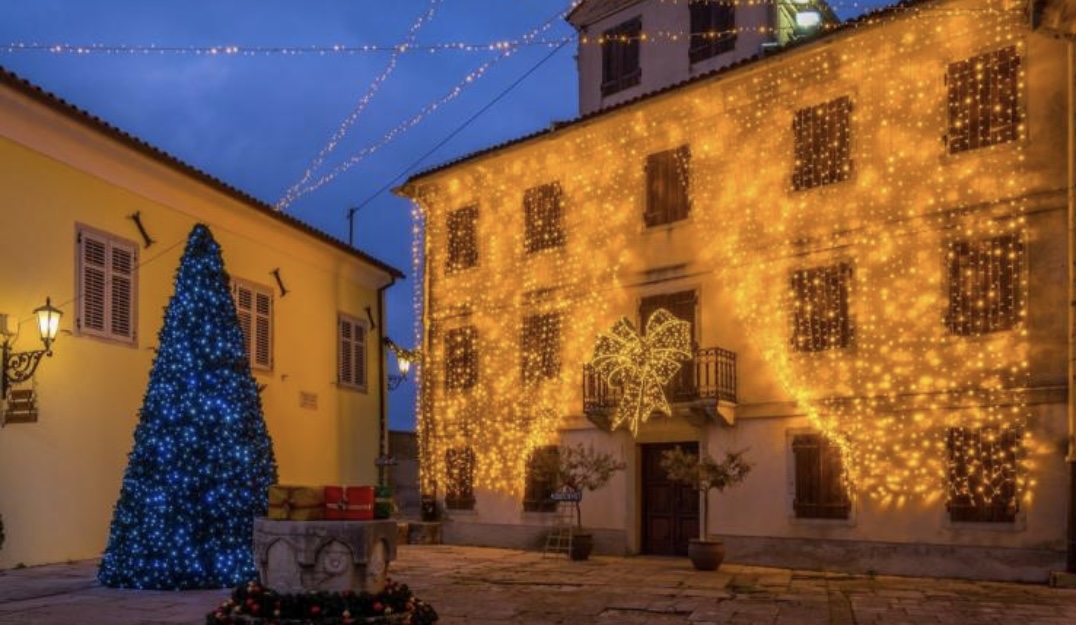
703	474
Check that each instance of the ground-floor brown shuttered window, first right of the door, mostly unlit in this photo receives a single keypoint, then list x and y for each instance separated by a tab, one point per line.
820	491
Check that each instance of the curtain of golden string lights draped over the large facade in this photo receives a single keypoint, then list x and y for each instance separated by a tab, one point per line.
911	240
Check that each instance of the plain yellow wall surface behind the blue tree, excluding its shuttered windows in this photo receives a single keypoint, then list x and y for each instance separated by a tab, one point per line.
60	478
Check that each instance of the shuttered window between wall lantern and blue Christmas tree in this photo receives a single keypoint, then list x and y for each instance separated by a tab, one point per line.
108	280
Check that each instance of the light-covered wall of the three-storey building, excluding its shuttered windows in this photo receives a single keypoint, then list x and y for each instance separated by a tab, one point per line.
748	230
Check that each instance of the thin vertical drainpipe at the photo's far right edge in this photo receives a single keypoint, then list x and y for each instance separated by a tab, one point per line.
1071	125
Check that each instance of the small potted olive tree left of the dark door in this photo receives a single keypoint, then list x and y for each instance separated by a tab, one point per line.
576	470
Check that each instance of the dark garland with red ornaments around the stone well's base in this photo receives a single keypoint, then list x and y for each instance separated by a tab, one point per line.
256	605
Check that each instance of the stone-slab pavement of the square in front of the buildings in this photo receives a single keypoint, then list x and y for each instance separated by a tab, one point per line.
486	587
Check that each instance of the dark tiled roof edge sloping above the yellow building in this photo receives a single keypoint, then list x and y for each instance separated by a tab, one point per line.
55	103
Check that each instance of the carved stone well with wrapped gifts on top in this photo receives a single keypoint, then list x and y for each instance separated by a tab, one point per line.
294	557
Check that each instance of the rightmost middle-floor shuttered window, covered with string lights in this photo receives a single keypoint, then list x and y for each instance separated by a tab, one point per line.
985	286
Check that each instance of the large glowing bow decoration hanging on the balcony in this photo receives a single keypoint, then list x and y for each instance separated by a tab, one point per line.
642	365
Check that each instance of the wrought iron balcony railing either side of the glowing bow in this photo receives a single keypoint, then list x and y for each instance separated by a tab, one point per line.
711	375
